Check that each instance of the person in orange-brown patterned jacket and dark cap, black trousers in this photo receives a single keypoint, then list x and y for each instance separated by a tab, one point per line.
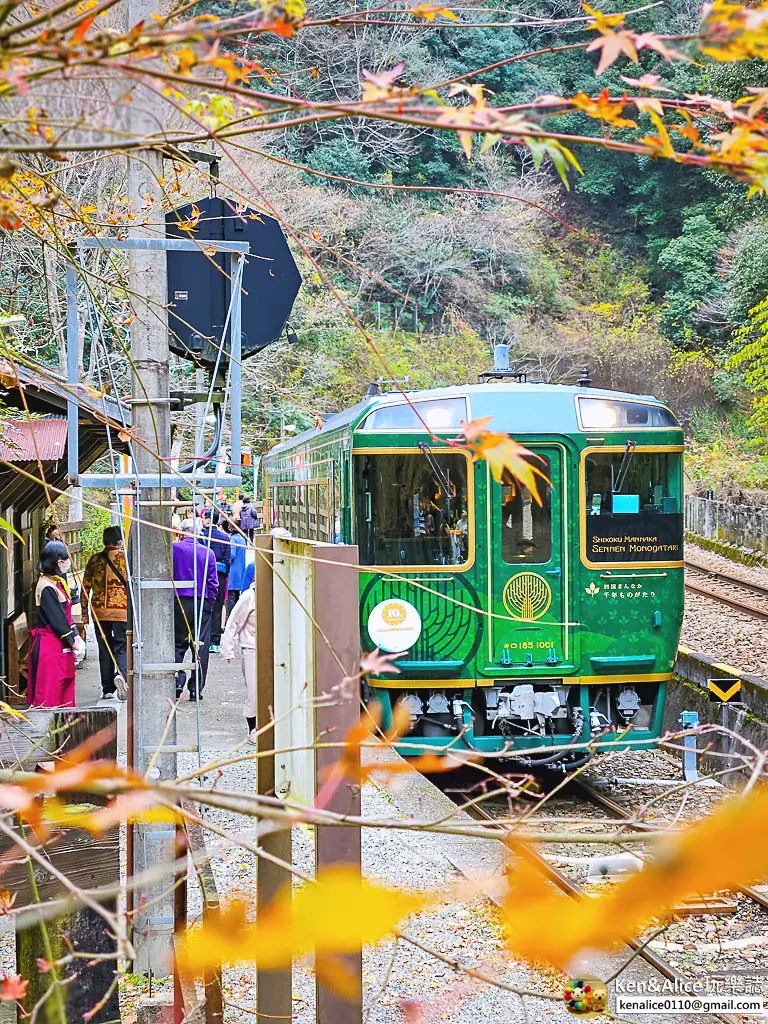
105	595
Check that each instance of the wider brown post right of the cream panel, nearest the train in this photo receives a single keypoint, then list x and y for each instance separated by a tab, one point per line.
336	611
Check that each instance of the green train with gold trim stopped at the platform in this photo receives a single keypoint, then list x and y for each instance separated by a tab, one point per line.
521	627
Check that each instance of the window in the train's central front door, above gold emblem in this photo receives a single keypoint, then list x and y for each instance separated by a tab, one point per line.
527	527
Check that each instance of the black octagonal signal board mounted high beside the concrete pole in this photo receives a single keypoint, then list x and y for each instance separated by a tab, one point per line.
200	287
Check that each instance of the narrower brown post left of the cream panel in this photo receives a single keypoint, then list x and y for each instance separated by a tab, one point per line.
274	989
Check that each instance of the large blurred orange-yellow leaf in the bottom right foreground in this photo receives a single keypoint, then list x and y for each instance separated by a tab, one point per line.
724	851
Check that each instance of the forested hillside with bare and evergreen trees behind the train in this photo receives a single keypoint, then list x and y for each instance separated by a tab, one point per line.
644	271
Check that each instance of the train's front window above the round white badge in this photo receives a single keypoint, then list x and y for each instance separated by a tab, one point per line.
413	509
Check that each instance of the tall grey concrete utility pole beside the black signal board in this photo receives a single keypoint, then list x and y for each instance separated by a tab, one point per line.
154	647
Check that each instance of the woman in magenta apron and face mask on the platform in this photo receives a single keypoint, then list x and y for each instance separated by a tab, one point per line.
57	647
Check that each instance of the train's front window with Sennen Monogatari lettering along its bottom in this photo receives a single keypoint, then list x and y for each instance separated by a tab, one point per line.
633	506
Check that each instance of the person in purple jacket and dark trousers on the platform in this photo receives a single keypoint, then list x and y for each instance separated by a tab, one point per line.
194	565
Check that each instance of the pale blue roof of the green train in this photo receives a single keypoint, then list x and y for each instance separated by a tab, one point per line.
515	408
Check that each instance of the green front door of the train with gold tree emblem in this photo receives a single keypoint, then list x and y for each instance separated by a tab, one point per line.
529	573
